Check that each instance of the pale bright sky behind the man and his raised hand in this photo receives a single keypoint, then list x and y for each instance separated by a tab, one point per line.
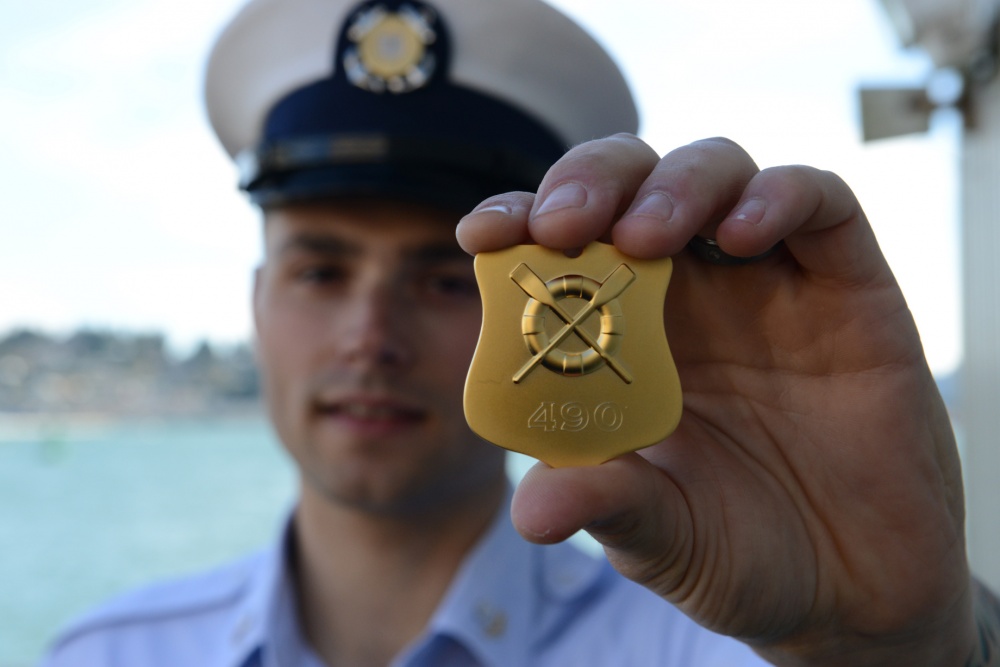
118	209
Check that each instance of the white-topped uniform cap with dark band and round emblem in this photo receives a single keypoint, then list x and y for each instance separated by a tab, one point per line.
414	80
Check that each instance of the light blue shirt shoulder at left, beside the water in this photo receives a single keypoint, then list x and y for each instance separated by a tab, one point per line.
144	626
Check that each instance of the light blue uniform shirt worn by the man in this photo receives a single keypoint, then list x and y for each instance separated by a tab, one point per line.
512	604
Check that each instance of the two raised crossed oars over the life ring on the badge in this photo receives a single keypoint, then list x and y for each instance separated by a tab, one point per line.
610	289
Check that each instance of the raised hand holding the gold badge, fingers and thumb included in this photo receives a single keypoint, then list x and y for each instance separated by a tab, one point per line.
810	502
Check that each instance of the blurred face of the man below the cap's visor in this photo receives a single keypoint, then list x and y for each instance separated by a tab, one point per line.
367	316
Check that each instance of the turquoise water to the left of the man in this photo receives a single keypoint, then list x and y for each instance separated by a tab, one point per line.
90	509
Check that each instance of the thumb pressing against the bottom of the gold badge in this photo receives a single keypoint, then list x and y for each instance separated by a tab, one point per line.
629	506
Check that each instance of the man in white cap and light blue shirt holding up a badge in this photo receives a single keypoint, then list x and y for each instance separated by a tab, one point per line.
809	504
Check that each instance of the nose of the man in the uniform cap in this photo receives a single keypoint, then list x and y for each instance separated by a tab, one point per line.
373	330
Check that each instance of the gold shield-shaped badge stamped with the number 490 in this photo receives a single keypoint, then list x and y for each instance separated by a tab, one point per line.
572	365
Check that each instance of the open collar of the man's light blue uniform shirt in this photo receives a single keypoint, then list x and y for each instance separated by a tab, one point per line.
493	608
